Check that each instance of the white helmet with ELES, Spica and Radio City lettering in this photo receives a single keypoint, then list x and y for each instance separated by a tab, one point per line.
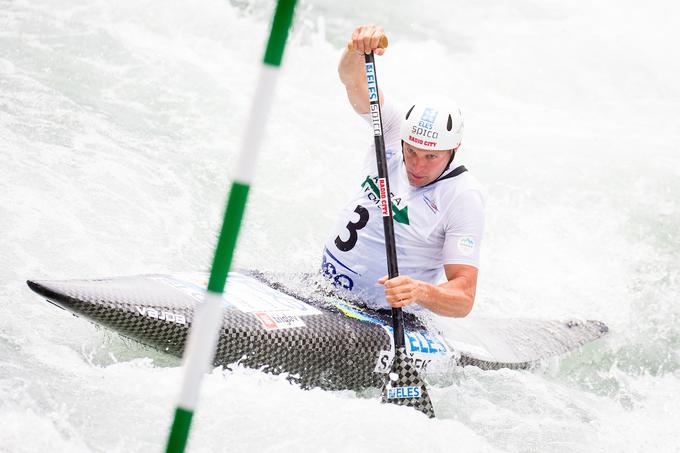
436	126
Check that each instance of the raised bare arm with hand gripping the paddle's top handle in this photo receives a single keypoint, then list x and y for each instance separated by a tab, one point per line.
365	38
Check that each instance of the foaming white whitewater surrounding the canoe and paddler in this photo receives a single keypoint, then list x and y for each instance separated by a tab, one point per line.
119	124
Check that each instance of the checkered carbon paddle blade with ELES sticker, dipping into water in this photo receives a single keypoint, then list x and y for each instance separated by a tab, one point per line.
405	387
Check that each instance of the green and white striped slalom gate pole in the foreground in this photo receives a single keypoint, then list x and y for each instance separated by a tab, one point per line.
207	321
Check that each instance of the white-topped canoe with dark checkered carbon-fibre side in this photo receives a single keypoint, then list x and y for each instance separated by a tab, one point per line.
318	343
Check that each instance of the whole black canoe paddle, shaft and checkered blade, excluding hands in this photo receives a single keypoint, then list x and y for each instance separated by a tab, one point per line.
403	386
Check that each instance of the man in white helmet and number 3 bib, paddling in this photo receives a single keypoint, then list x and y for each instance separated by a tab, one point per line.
438	207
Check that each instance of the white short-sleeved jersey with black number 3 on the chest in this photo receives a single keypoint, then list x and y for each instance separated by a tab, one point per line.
434	225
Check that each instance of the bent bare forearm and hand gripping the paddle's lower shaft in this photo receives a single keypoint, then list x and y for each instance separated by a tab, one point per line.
453	298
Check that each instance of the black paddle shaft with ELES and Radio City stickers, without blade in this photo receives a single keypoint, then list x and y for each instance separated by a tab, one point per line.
384	190
